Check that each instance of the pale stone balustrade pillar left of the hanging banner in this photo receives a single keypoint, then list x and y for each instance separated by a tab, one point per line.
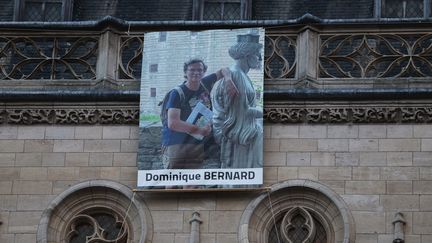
108	52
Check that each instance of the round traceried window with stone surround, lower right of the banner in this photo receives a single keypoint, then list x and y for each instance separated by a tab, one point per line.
297	211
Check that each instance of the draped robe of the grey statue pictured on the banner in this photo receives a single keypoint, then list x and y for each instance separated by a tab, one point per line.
237	123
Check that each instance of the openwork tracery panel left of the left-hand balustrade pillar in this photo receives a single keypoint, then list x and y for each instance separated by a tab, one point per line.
43	57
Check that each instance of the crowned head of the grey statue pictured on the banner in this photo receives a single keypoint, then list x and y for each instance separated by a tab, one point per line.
247	48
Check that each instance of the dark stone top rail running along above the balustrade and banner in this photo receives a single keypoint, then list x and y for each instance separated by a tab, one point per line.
121	24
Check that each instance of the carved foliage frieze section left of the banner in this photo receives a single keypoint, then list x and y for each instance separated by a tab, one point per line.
71	114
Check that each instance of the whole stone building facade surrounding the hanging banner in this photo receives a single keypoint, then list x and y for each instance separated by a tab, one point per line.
348	133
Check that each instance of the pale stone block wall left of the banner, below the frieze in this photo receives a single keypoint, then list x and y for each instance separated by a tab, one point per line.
39	162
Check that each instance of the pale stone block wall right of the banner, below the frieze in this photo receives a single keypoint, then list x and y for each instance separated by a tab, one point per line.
377	169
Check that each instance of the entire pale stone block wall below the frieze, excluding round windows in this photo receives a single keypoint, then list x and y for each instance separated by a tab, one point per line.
377	169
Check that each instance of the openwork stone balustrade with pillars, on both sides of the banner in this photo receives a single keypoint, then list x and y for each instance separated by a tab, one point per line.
360	56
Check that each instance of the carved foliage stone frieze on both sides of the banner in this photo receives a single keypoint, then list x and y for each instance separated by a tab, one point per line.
289	113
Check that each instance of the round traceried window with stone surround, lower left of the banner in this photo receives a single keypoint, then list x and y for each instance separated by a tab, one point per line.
96	211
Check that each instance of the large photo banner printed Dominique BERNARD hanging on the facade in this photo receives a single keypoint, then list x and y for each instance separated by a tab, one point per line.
201	106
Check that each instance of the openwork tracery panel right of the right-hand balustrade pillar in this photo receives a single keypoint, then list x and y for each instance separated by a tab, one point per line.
375	55
